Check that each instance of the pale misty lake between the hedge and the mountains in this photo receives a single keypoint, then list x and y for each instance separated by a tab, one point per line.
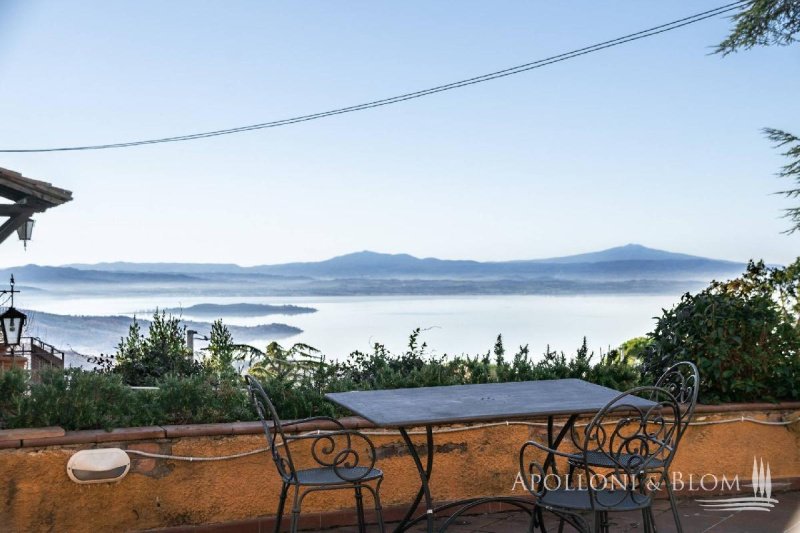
454	324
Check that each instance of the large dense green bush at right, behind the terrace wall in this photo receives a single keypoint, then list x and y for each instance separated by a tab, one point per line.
743	334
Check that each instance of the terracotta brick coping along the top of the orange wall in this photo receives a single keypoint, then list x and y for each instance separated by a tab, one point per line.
38	437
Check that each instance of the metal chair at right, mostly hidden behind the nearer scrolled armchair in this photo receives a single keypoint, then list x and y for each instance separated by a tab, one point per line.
682	380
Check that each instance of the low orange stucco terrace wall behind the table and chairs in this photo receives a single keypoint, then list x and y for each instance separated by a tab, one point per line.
37	495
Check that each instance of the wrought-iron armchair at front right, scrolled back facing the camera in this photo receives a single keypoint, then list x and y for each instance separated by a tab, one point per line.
635	446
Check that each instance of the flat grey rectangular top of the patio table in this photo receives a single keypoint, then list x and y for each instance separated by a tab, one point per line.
473	403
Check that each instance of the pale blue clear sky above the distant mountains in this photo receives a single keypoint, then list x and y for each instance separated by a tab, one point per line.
655	142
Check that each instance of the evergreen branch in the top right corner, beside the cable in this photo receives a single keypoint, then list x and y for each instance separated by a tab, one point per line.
763	23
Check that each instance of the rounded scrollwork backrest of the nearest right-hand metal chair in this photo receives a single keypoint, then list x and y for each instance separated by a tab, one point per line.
632	443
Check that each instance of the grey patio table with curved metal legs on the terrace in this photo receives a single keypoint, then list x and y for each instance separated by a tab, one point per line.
434	406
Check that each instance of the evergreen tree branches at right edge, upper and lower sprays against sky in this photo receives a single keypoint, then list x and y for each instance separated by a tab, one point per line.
767	23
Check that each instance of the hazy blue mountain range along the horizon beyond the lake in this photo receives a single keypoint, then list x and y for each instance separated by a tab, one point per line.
364	273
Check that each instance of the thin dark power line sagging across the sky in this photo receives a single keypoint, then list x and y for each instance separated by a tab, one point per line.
656	30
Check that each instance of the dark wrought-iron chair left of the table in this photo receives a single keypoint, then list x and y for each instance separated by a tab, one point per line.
340	464
